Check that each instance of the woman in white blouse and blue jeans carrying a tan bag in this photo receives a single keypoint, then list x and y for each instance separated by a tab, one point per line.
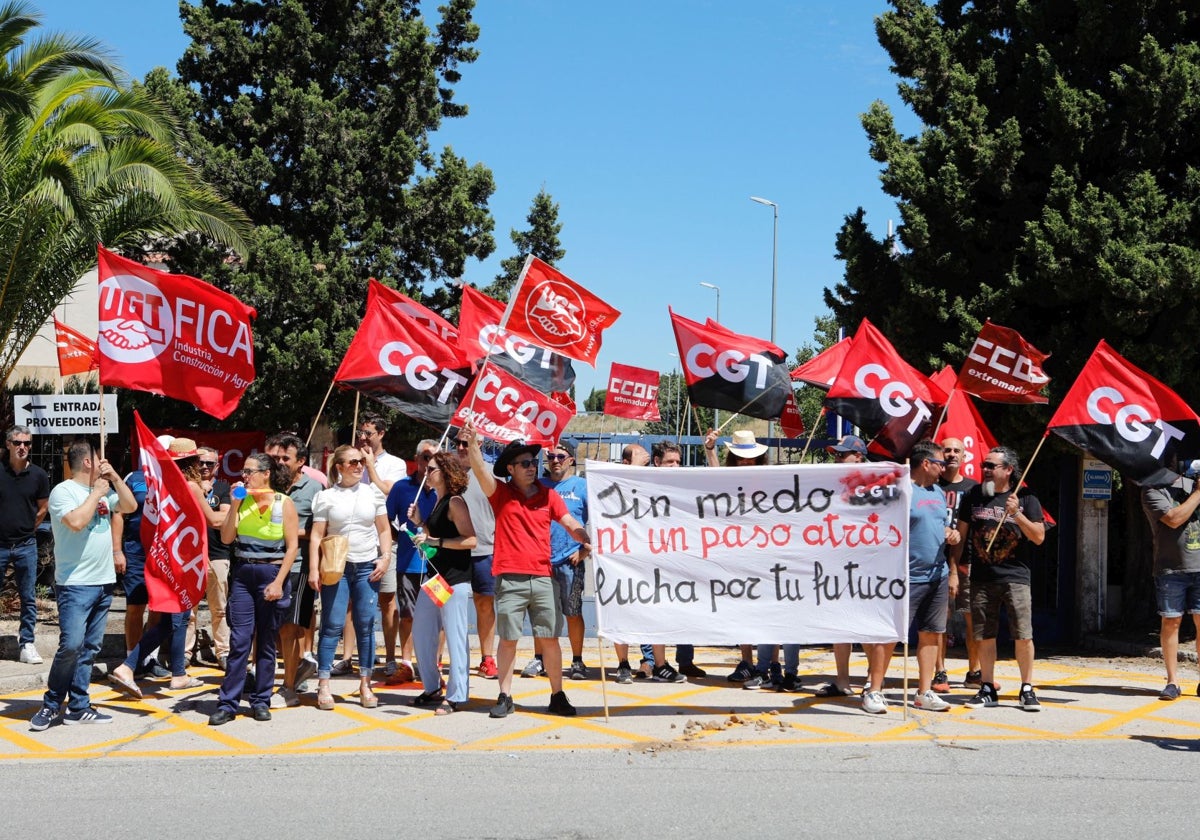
358	512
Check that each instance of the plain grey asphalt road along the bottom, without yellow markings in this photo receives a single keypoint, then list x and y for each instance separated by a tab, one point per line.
1127	789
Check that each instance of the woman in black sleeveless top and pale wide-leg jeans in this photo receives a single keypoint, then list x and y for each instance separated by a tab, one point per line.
449	530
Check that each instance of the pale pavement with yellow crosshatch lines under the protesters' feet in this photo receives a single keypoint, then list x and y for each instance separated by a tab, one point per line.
1084	700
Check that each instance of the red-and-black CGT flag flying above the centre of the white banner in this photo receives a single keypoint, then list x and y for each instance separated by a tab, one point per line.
731	373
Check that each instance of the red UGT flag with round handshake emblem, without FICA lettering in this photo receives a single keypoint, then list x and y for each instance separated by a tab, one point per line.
554	311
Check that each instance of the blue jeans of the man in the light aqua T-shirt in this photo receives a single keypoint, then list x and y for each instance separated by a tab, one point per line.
83	613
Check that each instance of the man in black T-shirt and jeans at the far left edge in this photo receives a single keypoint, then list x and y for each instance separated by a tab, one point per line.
25	494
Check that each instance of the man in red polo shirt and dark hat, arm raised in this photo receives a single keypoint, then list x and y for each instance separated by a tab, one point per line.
525	511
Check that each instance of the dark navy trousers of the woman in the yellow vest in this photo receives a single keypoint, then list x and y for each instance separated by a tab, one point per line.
253	616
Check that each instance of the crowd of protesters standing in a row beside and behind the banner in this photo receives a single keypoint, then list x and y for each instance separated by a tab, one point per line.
419	545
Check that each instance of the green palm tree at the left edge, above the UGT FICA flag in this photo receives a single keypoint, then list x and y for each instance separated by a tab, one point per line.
86	158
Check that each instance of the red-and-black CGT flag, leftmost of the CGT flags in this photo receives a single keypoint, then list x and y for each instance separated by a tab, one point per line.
400	363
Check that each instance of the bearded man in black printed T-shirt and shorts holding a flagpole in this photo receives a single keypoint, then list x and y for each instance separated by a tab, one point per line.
1000	575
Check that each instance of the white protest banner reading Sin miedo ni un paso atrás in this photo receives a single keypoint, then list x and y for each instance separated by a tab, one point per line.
791	554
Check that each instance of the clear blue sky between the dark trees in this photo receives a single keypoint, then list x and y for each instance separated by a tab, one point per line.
651	124
